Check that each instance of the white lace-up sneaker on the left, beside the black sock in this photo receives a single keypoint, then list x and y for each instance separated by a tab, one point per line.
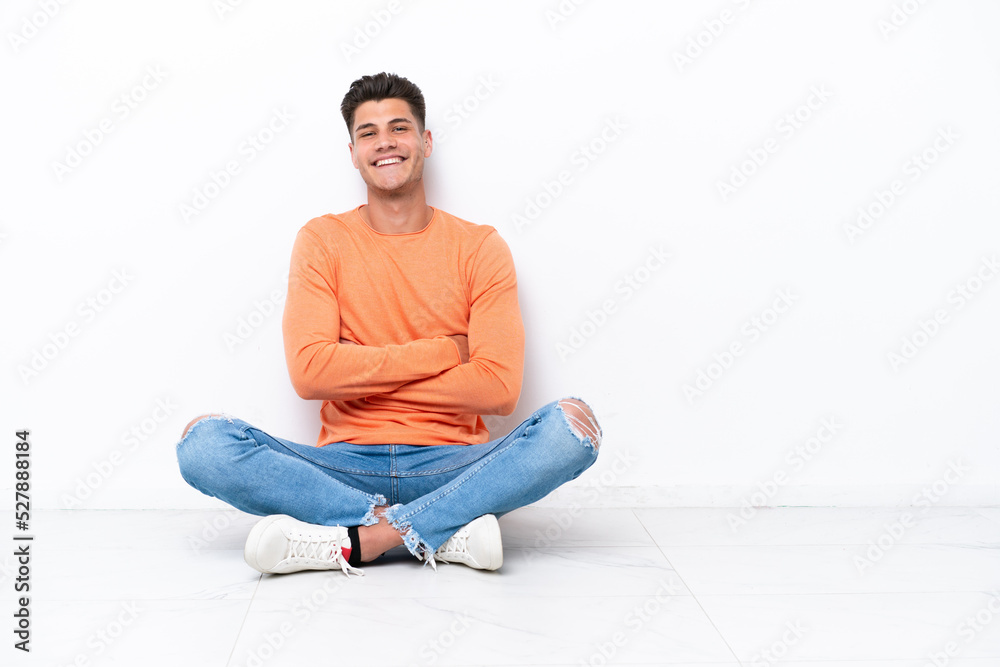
280	544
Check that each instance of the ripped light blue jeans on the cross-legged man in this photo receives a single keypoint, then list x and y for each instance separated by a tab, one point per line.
430	491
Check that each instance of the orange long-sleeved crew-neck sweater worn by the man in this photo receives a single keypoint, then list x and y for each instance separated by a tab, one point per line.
398	296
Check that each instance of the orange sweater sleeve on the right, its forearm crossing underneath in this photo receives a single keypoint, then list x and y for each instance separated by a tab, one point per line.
490	383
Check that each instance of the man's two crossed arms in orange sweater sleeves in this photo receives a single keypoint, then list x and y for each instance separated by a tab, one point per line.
475	372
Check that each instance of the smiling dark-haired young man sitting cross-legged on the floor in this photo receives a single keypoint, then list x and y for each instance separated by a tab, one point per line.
404	321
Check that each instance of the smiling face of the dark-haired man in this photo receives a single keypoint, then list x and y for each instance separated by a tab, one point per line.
388	148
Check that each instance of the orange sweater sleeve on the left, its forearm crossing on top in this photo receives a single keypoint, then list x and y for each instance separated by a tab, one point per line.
320	367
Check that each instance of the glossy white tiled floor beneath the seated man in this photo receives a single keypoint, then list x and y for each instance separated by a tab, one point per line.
792	586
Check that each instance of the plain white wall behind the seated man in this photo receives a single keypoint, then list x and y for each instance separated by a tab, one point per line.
881	95
